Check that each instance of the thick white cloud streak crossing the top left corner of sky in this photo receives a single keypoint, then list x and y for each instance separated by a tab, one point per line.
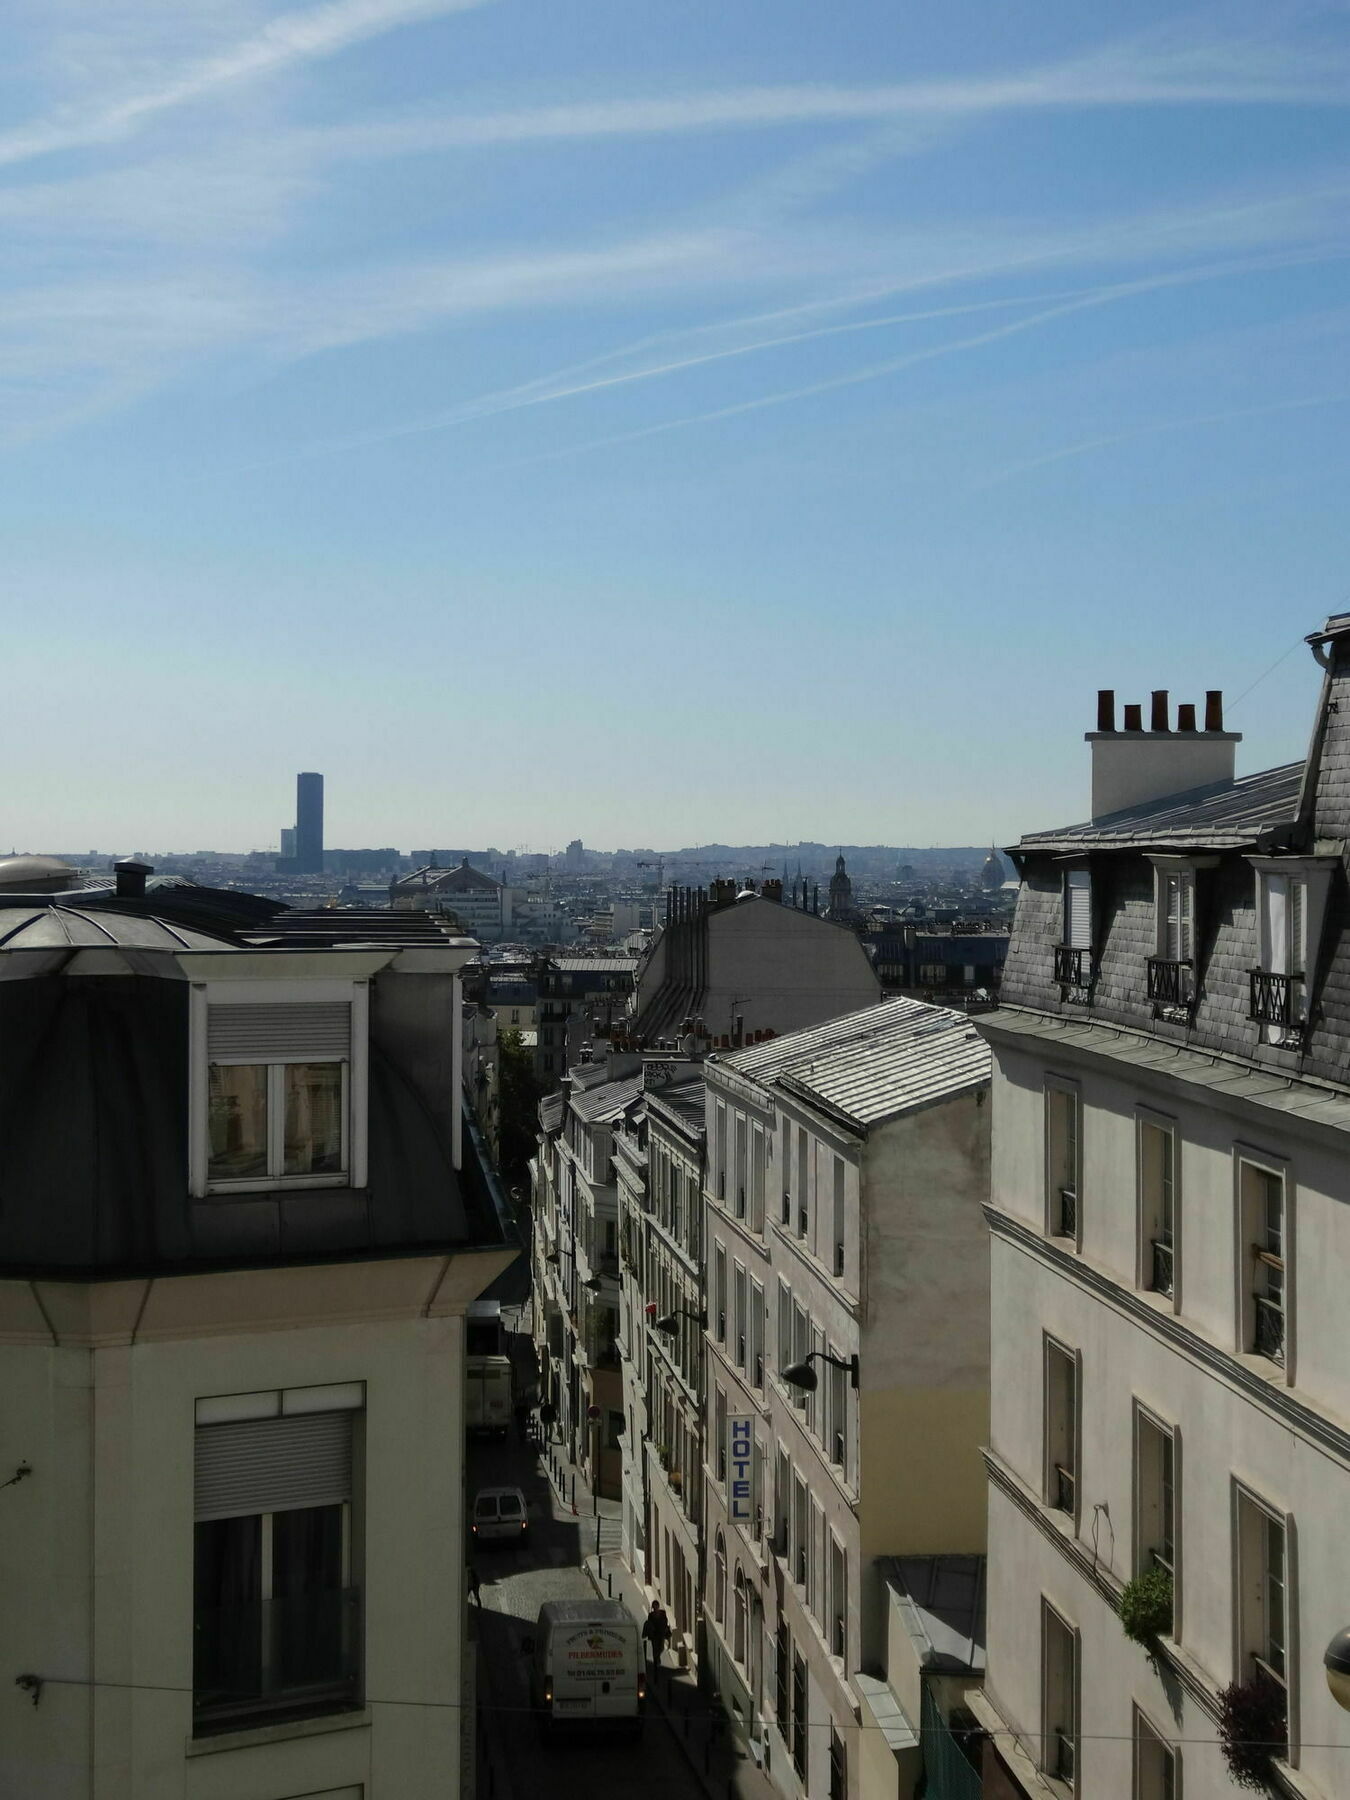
282	44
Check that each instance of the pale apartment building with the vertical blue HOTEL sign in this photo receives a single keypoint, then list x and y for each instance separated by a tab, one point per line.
847	1174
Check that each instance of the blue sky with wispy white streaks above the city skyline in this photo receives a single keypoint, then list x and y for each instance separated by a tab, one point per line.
656	424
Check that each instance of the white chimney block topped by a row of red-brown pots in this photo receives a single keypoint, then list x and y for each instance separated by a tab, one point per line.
1133	768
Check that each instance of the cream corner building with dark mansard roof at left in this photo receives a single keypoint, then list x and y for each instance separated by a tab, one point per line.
237	1248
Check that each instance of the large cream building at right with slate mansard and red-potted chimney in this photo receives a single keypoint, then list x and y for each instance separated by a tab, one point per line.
1171	1252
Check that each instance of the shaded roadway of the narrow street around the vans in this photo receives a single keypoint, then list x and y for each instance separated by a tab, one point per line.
516	1581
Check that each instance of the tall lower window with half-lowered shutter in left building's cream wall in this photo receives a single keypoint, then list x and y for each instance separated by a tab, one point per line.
276	1621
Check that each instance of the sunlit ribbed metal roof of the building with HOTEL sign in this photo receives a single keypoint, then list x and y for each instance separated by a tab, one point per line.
874	1065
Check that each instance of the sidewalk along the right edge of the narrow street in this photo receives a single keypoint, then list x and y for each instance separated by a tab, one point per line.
697	1720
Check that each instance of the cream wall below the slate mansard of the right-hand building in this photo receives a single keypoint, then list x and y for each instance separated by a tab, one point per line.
1221	1403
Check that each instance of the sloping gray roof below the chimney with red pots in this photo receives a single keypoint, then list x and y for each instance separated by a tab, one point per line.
1214	818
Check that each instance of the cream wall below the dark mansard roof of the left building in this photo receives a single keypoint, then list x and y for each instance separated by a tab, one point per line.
96	1563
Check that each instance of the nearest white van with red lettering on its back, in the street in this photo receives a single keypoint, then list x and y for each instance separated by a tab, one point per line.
588	1666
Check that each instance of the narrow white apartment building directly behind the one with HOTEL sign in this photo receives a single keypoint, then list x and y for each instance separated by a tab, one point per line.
660	1164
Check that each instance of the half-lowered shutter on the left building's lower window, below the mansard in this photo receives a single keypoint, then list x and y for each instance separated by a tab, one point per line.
273	1464
